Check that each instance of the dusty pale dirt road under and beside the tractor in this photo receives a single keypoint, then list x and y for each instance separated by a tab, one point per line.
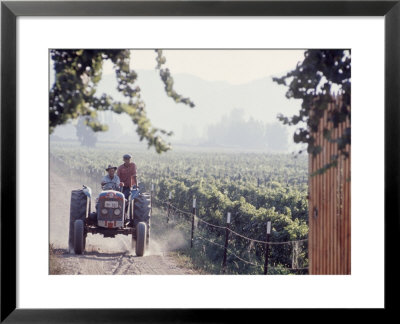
102	255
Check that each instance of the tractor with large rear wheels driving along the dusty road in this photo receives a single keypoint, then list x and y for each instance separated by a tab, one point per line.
114	215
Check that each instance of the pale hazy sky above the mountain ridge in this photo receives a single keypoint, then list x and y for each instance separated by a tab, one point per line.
233	66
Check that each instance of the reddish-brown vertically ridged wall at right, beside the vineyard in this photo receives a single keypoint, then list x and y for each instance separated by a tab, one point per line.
329	245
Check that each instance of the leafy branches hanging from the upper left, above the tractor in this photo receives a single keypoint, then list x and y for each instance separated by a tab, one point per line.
73	94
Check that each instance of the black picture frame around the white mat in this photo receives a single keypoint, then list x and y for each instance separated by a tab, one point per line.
11	10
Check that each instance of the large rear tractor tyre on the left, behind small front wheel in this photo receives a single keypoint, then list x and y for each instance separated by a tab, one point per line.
79	209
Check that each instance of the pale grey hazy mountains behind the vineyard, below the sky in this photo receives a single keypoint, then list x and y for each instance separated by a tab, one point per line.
261	101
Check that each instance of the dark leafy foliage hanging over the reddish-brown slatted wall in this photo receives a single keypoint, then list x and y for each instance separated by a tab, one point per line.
313	81
